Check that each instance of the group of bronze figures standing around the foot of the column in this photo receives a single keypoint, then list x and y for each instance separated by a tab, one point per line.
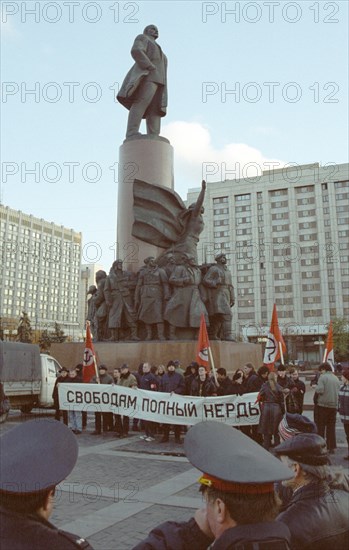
160	303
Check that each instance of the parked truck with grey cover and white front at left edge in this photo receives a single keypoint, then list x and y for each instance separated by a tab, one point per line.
28	376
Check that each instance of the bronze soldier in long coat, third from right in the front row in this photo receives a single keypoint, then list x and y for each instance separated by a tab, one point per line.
151	291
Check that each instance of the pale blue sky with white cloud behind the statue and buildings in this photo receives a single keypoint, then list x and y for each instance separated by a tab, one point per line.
286	62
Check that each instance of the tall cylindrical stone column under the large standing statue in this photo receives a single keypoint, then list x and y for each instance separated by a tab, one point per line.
150	160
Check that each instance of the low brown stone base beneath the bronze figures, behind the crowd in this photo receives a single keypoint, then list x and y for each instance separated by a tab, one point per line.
230	355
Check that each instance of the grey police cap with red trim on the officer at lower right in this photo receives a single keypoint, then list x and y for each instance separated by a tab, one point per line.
232	462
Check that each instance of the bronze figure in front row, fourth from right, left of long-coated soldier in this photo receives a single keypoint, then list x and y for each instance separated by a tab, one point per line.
119	301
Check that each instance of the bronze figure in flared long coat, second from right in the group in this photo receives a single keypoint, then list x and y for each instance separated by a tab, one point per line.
185	305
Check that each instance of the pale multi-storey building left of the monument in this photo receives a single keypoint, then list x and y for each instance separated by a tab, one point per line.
40	272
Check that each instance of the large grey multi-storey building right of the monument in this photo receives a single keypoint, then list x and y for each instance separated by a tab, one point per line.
286	236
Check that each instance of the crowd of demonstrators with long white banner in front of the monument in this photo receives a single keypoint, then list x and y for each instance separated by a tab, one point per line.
278	392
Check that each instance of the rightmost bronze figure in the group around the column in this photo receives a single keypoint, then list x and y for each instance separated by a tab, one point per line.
220	298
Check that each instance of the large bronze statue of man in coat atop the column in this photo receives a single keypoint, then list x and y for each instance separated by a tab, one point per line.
144	90
